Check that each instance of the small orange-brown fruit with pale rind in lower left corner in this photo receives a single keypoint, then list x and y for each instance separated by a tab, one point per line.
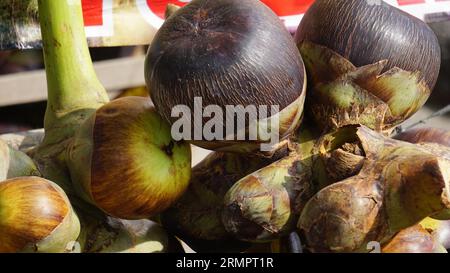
35	216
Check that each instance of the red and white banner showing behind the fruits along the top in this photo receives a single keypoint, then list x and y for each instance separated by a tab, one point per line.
98	14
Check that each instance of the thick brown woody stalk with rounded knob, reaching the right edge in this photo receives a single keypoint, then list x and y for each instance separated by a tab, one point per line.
398	185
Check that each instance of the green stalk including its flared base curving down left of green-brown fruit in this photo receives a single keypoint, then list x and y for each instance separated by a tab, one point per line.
74	92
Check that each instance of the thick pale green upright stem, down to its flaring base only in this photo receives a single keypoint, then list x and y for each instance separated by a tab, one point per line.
72	83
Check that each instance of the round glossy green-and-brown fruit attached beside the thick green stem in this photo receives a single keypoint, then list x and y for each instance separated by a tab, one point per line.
124	161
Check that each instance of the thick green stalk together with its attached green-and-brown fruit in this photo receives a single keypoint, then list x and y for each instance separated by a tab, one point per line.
110	154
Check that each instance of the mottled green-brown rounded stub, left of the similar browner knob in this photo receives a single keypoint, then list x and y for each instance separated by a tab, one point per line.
261	207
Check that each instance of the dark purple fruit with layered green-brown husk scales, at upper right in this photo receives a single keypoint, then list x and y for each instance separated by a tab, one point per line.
367	63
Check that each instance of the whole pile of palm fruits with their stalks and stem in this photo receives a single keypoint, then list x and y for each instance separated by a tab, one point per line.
108	176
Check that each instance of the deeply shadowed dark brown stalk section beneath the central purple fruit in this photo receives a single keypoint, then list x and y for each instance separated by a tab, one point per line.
196	217
